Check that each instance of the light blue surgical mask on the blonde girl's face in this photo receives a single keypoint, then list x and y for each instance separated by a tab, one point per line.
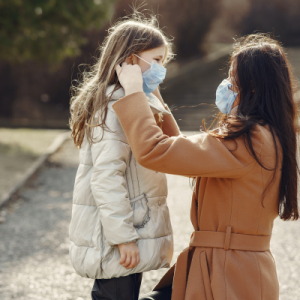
153	76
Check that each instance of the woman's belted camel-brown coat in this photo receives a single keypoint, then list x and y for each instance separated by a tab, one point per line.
228	198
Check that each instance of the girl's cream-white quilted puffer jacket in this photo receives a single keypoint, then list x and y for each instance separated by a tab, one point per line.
116	201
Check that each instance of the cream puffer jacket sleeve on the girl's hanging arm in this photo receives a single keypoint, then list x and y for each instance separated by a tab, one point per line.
108	184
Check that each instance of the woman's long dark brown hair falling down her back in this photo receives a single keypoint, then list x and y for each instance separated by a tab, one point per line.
266	86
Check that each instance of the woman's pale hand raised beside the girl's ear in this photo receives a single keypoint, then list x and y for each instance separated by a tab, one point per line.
130	77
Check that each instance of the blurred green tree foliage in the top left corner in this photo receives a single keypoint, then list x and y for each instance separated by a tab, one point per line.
47	30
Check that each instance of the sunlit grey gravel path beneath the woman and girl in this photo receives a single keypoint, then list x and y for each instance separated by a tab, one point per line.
34	261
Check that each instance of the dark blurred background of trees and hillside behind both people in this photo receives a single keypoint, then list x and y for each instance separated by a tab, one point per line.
43	43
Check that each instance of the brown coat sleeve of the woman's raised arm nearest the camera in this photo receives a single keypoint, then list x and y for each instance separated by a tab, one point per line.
198	155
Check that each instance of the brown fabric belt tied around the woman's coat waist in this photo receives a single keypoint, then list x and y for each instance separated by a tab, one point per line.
194	284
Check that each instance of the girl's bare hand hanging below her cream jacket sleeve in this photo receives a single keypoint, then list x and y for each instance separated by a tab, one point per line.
130	255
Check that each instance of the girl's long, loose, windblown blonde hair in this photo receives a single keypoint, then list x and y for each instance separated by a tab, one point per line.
131	36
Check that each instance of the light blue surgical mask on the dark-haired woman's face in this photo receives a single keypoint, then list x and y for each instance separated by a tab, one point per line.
225	96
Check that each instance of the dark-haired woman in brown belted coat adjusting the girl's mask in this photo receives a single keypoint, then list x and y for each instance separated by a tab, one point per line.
246	173
